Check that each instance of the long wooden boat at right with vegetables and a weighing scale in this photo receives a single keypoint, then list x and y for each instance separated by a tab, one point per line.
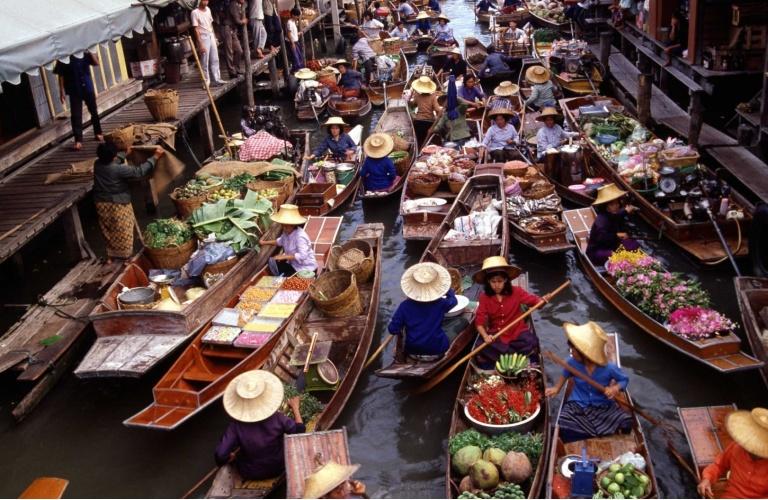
695	237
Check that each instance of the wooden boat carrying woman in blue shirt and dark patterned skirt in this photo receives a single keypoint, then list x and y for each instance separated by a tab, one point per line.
603	448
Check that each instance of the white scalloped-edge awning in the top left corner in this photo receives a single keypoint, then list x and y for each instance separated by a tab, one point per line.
37	33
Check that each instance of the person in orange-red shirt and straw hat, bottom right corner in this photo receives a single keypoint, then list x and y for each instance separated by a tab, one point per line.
744	461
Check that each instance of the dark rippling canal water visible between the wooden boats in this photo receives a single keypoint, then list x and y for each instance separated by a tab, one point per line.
399	439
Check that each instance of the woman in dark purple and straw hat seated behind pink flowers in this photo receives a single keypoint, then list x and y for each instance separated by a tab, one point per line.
607	233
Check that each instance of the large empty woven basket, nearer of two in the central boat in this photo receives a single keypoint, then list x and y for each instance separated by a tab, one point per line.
335	294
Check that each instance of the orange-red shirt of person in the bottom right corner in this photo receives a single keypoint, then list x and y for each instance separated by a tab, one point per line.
749	477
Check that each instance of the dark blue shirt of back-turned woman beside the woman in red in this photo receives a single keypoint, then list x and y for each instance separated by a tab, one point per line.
423	323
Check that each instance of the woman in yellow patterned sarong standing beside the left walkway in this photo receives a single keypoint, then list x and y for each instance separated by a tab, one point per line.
112	196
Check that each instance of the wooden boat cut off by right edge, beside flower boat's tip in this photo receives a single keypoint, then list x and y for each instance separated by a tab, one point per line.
752	296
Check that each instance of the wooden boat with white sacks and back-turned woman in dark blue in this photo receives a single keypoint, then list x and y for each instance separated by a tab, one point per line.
467	257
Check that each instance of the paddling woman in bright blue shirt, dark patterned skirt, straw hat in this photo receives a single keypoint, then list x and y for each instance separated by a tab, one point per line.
588	412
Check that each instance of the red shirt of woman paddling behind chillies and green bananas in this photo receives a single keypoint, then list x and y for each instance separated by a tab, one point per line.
494	314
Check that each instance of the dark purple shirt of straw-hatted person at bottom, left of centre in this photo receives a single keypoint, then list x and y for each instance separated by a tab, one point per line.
261	446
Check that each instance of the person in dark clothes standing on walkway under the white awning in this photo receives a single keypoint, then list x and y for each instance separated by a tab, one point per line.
75	81
